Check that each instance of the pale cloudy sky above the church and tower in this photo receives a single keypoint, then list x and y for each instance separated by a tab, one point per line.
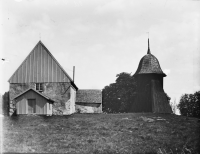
103	38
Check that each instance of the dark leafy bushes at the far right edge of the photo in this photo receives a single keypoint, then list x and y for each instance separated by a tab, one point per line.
190	105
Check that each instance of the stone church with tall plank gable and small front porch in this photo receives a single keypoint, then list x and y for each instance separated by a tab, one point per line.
41	86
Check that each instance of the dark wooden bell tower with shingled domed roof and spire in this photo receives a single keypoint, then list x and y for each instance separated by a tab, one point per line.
150	96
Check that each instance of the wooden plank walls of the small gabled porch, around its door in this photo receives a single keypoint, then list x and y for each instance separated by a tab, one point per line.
43	106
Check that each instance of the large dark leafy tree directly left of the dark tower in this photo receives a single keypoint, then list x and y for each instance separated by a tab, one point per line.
118	96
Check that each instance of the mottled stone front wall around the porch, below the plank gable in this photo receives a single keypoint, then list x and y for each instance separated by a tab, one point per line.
59	92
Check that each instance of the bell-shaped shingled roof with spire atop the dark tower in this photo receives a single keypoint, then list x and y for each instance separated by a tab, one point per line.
149	64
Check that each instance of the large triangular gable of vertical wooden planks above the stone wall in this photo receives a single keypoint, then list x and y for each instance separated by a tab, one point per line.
40	66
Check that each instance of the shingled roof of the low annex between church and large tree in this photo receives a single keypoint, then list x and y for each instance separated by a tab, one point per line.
89	96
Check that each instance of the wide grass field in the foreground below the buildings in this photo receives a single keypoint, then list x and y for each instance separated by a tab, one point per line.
101	133
